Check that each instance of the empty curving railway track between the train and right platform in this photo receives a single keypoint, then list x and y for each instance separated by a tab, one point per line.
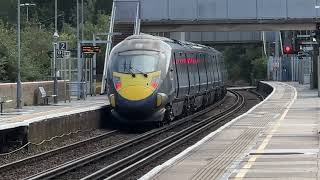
128	164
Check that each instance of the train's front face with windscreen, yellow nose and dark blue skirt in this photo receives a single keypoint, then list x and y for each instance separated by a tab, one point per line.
134	83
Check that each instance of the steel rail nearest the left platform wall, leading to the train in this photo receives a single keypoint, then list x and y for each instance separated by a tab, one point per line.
43	155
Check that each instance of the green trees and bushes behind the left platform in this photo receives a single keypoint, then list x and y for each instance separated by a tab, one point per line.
36	34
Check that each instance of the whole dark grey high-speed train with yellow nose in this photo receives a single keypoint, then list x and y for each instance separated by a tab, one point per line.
156	79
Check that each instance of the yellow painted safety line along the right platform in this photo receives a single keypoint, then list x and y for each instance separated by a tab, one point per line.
244	170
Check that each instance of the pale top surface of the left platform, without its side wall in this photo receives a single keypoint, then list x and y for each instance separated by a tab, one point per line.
12	118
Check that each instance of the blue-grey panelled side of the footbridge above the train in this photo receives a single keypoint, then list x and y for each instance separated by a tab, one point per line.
220	15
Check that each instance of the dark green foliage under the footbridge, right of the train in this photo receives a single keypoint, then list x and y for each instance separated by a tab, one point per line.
244	62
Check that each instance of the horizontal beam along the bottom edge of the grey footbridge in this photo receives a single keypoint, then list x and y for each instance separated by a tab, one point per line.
228	25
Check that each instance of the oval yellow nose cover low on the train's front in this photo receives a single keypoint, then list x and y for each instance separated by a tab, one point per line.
135	93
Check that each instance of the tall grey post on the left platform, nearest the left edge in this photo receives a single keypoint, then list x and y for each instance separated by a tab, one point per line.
19	87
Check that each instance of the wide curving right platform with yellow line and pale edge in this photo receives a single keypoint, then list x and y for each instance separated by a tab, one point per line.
276	139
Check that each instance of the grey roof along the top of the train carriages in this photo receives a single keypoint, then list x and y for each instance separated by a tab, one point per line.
175	44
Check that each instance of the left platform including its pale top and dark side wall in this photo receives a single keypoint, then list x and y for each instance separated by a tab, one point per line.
38	123
